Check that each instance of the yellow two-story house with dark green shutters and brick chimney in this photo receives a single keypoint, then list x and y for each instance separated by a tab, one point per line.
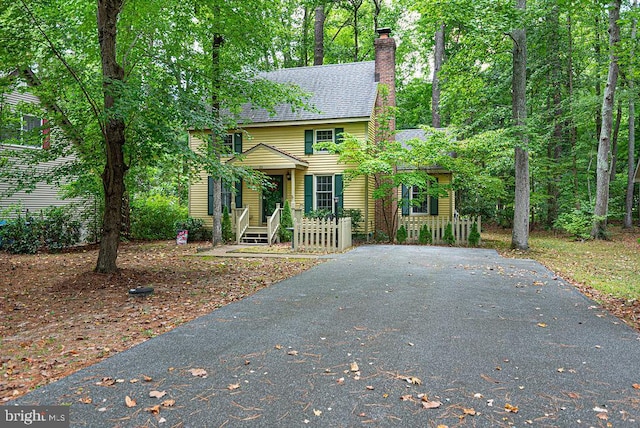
343	99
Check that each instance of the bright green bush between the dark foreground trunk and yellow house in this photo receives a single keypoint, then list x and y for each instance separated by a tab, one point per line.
154	217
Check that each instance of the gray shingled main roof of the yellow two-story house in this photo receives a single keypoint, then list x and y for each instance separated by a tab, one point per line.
338	91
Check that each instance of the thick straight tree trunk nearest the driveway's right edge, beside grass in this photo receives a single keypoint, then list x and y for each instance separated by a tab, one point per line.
520	233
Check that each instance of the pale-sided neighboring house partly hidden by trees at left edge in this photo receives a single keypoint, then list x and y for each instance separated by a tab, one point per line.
11	132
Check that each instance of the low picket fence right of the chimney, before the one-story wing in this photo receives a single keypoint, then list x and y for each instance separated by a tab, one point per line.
461	227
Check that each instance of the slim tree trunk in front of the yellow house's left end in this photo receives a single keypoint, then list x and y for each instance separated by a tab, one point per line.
216	139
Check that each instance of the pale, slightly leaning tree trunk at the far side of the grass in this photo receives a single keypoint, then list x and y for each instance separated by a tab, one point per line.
599	228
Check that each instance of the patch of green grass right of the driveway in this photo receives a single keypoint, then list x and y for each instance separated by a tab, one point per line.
612	267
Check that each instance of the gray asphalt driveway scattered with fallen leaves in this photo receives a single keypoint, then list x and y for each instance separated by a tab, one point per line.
378	336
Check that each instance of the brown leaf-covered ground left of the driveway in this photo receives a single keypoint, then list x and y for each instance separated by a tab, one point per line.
58	316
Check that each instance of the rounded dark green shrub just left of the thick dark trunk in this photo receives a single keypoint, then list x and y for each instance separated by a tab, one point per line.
59	228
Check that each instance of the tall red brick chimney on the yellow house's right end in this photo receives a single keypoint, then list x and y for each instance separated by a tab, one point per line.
385	73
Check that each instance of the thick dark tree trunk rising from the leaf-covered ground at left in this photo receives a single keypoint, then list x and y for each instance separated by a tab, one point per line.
113	134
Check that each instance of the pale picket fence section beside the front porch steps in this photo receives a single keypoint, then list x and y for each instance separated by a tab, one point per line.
326	235
